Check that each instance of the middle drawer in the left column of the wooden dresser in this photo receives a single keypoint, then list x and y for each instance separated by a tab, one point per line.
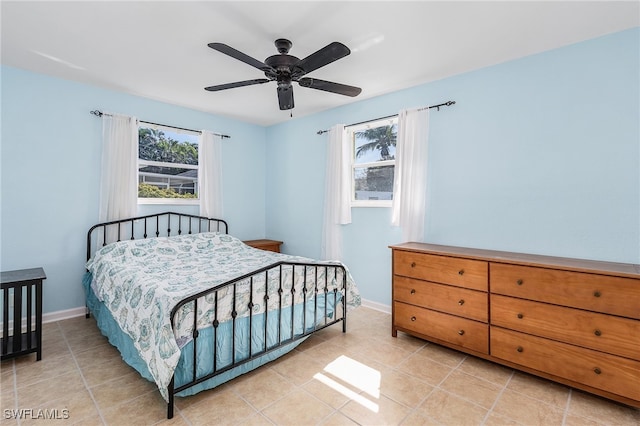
445	298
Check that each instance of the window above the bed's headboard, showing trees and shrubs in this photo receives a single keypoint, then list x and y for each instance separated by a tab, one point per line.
167	165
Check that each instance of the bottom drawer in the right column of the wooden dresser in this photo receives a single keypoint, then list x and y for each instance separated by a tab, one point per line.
596	369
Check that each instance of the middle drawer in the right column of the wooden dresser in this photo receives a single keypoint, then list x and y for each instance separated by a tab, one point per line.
614	335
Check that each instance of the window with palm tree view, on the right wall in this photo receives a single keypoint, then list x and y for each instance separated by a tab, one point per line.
373	153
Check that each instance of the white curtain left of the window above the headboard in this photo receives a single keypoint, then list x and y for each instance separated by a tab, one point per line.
119	174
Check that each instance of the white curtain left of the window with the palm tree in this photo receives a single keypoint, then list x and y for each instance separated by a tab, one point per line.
337	195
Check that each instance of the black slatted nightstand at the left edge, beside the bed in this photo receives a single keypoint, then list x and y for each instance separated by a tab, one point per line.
22	287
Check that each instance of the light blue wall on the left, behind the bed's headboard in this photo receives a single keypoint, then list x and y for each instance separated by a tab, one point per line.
50	159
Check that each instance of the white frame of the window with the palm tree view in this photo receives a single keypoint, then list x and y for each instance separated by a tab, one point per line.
351	131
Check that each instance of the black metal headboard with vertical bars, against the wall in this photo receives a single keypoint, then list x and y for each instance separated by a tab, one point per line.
150	226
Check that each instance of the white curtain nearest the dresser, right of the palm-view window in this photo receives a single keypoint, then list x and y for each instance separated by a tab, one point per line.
410	180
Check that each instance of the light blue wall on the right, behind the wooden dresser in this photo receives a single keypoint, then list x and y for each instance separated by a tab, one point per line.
539	155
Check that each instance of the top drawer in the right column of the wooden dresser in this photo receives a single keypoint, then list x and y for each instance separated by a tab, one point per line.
600	293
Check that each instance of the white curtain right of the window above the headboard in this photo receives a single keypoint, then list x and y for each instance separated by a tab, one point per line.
210	174
